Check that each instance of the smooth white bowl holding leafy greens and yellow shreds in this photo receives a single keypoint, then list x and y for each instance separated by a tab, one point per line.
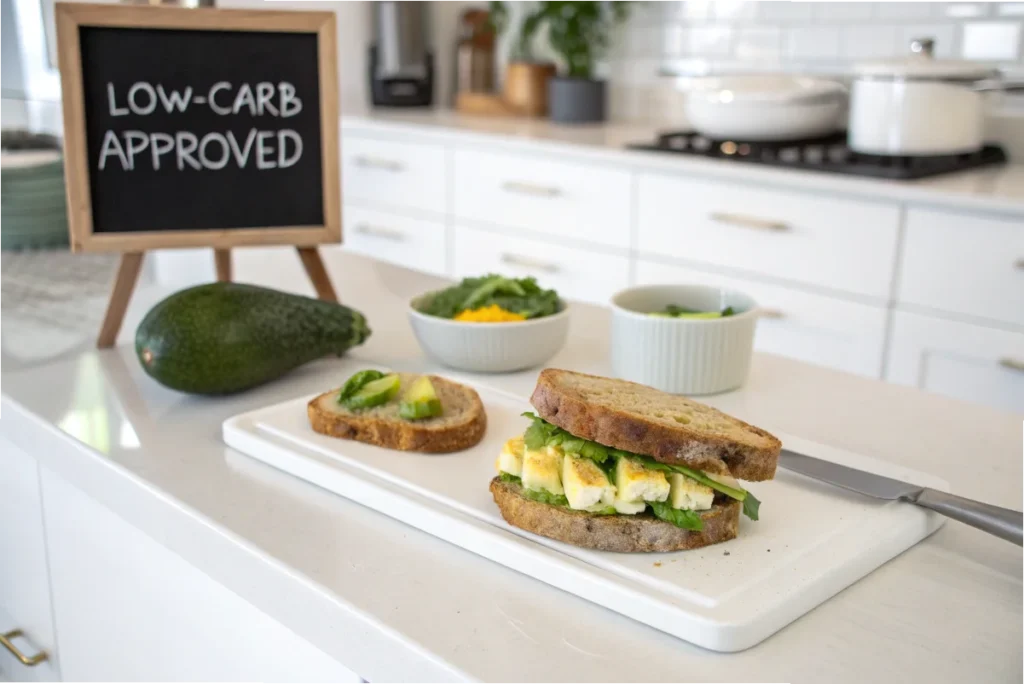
490	348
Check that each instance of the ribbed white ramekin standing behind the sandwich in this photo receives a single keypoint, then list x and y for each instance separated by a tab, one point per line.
682	356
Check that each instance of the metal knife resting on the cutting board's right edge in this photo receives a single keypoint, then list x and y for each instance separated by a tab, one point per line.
1000	522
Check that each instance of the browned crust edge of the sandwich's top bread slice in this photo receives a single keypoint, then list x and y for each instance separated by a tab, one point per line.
675	446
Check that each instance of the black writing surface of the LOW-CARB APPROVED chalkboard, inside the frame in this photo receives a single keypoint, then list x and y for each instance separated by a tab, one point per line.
201	130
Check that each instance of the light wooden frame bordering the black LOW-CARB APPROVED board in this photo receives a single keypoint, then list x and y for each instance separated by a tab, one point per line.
72	16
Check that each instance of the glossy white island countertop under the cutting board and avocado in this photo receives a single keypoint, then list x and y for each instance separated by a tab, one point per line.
398	606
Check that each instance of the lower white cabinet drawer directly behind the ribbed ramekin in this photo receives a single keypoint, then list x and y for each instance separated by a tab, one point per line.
812	328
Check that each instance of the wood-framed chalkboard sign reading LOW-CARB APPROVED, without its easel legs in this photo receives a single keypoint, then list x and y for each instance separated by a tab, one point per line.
199	127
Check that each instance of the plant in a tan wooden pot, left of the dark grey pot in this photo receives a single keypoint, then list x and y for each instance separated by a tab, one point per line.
526	83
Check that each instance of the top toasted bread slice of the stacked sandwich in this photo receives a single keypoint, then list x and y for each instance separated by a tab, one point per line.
669	429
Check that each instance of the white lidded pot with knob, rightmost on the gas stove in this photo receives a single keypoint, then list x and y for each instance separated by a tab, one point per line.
918	106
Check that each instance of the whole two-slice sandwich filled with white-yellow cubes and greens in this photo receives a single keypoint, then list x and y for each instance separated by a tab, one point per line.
617	466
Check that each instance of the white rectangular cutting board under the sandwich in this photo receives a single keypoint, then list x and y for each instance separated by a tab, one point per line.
813	541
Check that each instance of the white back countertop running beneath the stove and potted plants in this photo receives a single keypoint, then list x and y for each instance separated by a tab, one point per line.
998	190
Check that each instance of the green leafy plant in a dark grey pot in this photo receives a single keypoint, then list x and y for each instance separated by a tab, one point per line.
580	31
